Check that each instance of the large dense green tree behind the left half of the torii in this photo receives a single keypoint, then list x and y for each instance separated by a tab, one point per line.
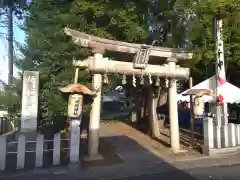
51	52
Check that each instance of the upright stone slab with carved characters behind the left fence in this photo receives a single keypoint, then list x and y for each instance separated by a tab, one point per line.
30	101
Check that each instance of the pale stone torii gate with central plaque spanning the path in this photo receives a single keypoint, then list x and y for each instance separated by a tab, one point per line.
140	67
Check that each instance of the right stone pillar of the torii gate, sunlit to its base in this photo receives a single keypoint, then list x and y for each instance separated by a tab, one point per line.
173	110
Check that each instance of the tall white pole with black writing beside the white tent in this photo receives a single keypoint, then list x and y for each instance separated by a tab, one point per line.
221	109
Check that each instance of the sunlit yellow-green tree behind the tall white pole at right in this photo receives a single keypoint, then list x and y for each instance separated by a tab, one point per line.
199	29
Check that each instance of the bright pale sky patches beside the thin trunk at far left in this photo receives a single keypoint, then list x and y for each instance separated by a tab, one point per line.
19	37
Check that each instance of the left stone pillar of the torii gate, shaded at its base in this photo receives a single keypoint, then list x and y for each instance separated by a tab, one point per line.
94	125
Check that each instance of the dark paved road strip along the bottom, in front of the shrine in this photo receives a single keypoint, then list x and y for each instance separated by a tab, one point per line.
227	172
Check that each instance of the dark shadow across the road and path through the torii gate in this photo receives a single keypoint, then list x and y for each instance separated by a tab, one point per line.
123	159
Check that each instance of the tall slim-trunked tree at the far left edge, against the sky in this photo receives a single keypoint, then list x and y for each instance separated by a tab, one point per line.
10	96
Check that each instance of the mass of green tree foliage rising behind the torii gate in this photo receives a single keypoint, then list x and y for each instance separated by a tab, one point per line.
172	23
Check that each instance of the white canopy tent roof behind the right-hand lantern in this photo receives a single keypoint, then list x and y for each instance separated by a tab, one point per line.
230	92
